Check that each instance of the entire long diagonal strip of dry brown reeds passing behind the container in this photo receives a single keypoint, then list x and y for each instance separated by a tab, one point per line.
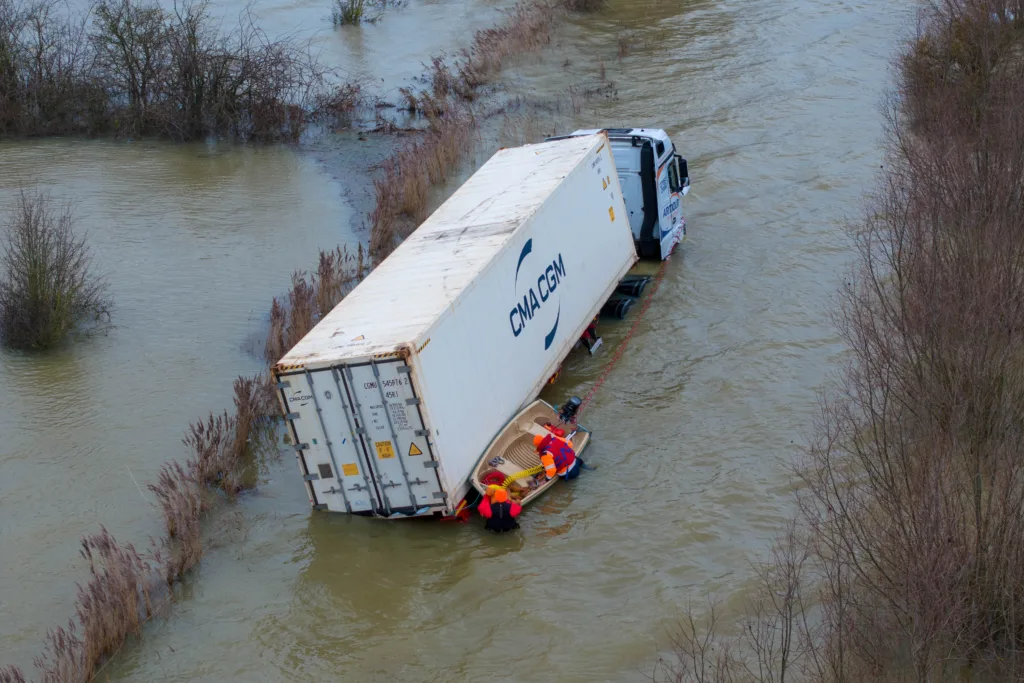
221	444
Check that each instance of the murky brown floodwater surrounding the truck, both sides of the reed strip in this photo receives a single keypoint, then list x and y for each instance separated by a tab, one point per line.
776	106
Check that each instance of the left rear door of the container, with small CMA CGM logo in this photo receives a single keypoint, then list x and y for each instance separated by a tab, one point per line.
331	455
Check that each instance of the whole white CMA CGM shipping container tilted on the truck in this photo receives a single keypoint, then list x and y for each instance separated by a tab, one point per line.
395	396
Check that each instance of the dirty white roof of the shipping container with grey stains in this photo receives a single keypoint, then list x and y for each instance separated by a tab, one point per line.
425	276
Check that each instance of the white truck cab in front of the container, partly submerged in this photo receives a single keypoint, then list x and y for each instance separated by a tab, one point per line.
655	179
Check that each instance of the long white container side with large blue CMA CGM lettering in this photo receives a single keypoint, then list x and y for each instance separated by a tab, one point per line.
493	352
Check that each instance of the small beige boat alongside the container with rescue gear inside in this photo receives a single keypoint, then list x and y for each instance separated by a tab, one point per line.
513	453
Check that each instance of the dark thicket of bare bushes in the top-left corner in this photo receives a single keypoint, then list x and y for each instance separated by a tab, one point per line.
133	68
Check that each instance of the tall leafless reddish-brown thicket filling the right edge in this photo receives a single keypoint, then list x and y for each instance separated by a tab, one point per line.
914	495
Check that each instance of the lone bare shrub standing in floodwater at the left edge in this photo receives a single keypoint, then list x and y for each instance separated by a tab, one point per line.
49	286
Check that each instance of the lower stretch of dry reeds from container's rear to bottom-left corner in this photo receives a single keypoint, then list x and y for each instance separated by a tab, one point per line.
125	586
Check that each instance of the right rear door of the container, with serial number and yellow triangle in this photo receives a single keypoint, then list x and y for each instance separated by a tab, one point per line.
396	441
